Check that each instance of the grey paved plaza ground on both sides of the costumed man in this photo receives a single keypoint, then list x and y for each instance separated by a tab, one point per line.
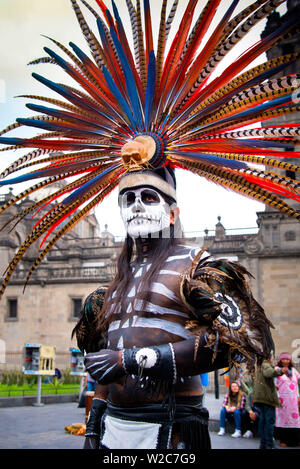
30	427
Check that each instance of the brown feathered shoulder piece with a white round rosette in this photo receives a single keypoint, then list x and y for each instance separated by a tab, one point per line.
222	307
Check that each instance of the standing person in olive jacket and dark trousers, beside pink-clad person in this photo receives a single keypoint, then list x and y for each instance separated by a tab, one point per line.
266	400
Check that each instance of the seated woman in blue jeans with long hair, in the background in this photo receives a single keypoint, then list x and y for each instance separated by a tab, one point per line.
233	404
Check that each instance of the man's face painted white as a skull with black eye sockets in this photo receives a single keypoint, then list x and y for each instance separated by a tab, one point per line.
144	211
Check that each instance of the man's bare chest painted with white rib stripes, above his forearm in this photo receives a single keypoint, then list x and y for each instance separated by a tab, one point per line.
149	314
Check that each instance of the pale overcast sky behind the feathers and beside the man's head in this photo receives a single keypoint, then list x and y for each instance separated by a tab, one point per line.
22	22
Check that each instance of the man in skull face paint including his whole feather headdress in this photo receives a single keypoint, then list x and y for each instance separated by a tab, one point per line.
134	115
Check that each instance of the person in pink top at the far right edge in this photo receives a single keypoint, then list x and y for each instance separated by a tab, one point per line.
287	416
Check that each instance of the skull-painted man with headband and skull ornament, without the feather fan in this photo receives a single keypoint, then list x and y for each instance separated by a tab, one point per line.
145	360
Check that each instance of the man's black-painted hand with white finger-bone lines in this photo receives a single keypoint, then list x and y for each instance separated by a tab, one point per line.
105	366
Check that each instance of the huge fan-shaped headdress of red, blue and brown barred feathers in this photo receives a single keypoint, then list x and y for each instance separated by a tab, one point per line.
171	92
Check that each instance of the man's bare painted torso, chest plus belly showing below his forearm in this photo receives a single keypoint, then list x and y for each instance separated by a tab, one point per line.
152	315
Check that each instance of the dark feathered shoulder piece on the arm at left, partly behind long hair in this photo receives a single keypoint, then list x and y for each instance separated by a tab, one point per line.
89	337
